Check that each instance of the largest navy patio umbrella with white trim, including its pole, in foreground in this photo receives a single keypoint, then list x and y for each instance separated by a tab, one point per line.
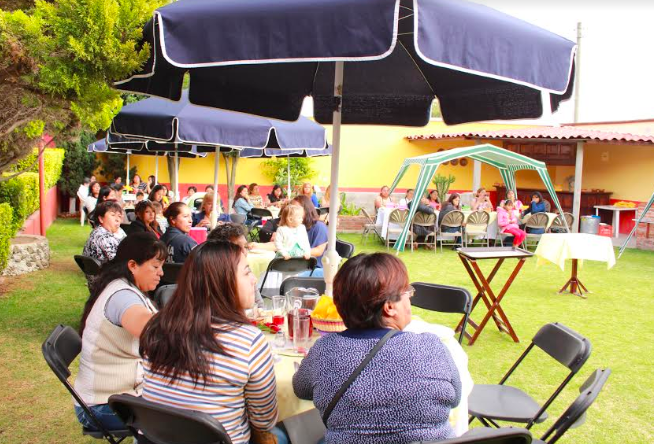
264	57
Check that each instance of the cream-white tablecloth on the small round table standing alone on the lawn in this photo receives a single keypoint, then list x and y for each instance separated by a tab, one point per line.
558	247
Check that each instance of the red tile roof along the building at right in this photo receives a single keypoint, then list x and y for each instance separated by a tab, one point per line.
557	133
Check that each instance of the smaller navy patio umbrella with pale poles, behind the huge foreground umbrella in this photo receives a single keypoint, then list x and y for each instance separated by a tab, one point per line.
181	127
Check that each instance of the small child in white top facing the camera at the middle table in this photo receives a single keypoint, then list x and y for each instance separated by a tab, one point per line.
291	239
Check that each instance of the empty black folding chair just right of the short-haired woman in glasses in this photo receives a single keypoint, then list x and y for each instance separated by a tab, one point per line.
444	299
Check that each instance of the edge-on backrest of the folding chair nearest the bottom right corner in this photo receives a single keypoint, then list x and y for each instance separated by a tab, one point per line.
575	415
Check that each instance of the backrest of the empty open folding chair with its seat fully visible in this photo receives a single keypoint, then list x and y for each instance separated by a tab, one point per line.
565	345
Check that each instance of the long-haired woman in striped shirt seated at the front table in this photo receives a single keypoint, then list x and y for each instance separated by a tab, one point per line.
200	351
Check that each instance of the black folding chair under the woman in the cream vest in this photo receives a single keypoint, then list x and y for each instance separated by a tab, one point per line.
59	350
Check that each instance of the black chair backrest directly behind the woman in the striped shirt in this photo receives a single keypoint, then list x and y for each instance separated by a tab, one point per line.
163	424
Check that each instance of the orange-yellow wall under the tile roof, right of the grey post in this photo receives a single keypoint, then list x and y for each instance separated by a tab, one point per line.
626	170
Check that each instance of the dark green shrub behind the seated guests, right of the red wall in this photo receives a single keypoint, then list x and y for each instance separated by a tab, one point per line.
78	165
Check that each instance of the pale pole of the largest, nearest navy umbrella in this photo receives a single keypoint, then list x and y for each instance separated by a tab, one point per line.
331	259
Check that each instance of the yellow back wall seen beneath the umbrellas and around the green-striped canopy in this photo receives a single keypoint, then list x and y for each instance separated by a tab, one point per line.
370	157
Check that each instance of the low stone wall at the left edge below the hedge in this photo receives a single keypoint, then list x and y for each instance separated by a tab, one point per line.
27	253
